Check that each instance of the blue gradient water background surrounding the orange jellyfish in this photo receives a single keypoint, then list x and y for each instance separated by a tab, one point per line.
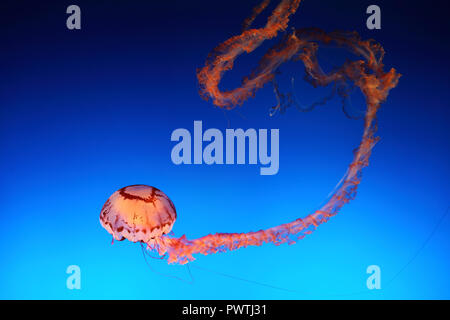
83	113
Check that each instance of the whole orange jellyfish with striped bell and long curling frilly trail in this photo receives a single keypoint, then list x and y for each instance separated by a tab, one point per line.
145	214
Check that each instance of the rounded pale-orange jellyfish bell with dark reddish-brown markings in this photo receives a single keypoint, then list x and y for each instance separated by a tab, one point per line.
138	213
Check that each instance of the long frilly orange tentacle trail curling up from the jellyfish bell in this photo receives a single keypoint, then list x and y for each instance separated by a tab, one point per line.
367	74
